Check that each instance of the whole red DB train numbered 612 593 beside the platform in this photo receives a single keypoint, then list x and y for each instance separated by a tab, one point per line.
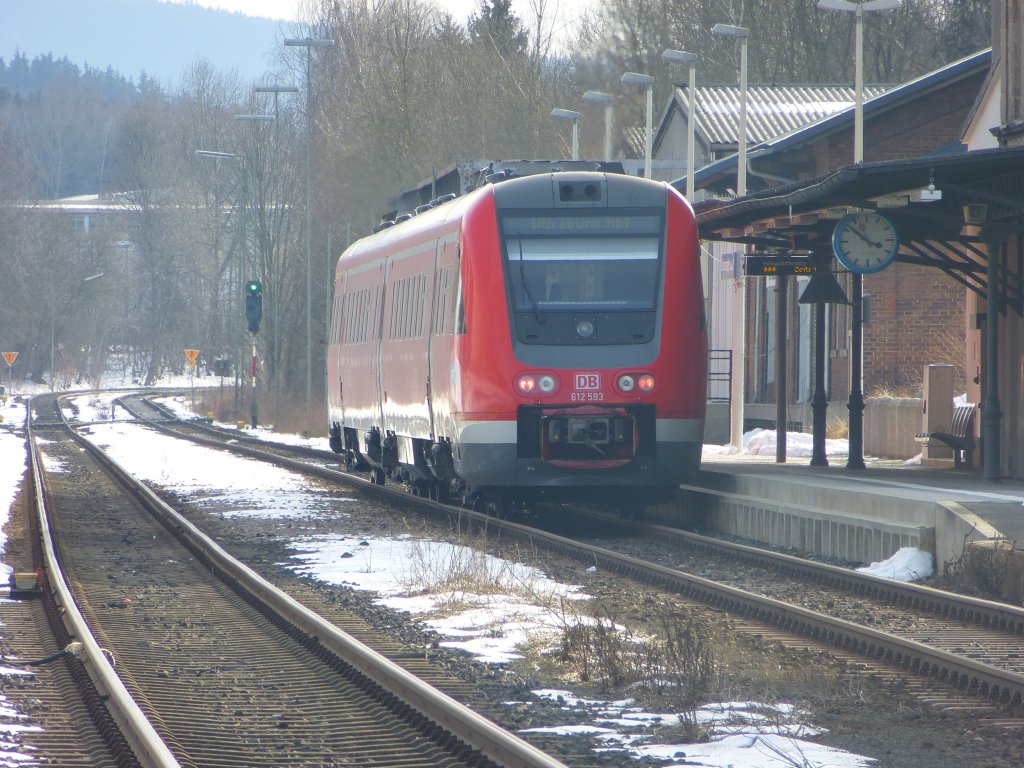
540	337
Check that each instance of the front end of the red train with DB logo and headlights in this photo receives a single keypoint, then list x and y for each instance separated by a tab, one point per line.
607	346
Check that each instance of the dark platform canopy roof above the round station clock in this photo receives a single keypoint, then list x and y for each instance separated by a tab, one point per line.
925	197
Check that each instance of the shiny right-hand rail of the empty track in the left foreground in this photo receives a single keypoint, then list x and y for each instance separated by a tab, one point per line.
498	745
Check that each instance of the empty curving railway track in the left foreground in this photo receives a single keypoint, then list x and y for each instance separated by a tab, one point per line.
228	669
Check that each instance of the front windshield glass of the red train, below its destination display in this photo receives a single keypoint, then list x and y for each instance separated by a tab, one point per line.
559	264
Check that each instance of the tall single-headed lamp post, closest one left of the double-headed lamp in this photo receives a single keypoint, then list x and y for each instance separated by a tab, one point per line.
739	381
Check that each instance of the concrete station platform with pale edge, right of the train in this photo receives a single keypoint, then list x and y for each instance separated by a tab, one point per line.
857	516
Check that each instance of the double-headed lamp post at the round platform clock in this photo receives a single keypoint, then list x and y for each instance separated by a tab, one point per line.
857	404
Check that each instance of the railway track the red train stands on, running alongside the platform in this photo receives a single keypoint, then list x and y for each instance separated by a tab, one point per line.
972	648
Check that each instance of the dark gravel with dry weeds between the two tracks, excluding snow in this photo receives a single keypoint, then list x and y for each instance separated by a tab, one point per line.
863	714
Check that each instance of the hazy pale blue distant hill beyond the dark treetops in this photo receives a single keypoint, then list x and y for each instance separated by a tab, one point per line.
133	37
